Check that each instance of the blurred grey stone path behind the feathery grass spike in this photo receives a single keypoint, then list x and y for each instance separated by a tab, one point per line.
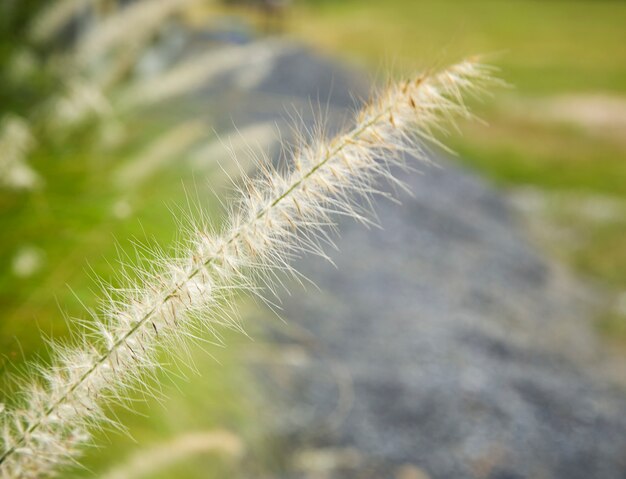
443	345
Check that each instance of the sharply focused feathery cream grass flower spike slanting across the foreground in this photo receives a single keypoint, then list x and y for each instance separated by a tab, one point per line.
280	216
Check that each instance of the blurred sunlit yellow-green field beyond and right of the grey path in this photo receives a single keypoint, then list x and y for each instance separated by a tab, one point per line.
551	54
